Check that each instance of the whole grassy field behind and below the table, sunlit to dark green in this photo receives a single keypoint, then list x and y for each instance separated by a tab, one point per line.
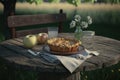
106	22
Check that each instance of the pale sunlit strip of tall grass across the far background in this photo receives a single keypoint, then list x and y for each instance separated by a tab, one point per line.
54	7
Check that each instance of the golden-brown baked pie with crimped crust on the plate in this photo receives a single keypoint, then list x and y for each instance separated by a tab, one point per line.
63	45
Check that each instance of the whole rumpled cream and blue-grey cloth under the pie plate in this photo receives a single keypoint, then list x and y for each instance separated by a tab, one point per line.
70	62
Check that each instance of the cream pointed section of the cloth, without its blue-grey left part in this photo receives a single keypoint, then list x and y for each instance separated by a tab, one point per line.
74	61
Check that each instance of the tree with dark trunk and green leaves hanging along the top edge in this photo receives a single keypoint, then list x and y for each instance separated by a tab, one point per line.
9	9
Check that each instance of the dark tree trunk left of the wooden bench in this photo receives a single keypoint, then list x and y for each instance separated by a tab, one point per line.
9	9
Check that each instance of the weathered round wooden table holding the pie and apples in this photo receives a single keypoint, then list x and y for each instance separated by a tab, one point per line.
13	53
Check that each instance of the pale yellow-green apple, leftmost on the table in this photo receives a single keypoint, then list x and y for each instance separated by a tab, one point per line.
29	41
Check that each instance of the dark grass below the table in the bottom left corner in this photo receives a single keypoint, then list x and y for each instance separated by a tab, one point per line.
10	73
